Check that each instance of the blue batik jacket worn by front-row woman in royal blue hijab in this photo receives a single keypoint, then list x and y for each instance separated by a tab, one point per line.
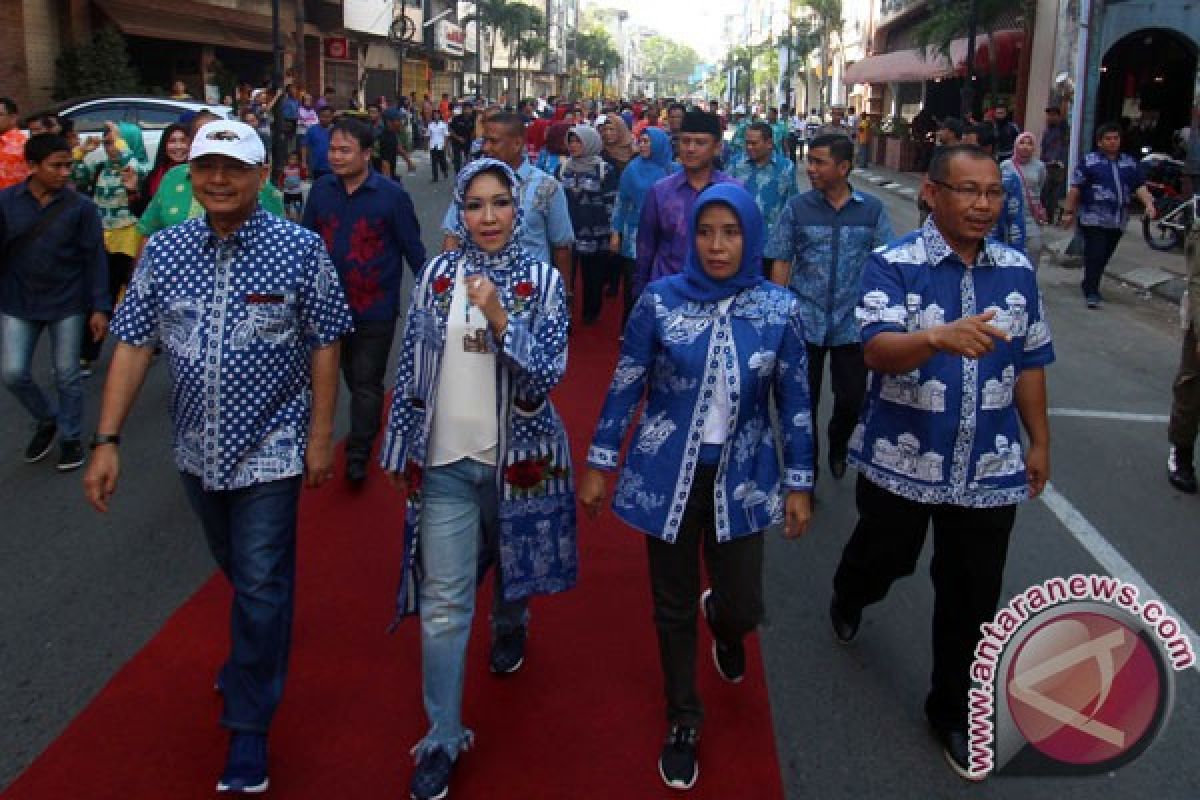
673	353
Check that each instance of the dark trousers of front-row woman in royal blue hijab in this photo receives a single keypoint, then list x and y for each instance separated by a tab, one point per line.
735	573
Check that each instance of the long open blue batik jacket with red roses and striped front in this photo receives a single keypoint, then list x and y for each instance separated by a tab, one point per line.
535	478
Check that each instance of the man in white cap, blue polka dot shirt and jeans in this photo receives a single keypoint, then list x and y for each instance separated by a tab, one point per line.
249	309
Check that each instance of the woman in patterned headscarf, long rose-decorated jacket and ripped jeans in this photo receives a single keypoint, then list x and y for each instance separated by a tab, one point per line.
479	450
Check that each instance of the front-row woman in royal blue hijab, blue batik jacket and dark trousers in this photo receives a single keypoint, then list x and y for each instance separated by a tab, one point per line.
706	348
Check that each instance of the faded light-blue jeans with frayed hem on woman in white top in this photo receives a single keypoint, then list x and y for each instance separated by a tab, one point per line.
459	513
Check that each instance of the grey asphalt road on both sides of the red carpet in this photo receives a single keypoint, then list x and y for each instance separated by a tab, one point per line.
82	593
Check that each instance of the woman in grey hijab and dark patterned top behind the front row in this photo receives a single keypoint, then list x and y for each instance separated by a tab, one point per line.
591	188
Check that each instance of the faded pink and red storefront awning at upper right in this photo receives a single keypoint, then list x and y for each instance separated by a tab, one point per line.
908	67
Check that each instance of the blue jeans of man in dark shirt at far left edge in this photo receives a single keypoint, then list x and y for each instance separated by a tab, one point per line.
19	339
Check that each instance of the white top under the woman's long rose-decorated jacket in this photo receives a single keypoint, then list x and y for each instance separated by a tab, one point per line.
465	424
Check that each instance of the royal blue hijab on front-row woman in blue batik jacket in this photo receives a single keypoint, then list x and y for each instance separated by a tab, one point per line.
694	282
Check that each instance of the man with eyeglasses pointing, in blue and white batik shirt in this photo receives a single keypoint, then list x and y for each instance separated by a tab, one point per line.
955	336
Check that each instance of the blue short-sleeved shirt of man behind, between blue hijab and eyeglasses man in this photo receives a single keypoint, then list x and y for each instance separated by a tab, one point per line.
829	249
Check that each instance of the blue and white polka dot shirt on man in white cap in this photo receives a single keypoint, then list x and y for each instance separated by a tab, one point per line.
239	320
